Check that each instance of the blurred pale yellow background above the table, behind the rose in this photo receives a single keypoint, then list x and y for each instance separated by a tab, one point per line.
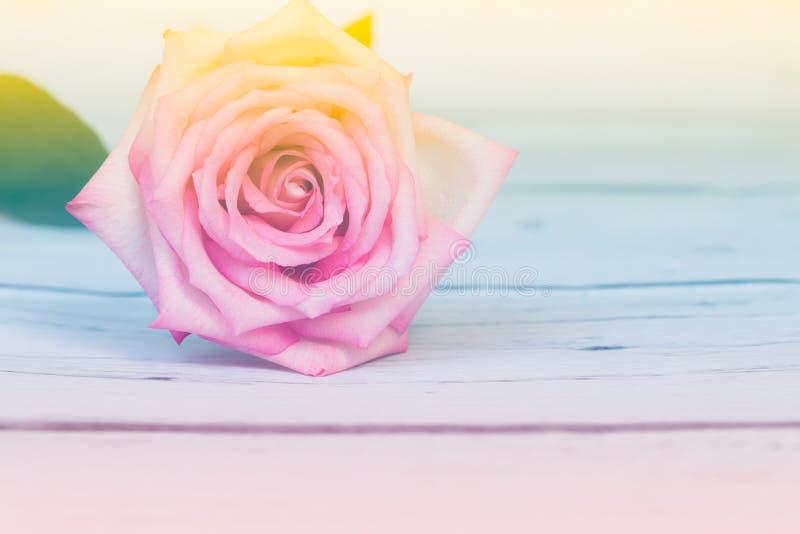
735	61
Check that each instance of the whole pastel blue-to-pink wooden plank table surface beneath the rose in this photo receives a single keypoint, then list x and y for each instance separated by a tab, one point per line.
647	379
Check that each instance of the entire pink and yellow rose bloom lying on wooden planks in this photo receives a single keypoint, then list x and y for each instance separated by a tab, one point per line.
275	194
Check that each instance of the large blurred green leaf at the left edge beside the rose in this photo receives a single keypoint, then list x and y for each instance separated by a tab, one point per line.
47	154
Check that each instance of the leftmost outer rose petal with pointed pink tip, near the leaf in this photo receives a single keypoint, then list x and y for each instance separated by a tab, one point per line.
110	205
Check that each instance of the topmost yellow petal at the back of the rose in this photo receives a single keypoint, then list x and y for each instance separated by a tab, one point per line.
298	35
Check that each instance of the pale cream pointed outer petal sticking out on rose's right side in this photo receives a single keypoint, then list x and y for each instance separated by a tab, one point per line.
460	171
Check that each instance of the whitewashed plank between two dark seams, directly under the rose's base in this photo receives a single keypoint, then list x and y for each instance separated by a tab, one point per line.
653	354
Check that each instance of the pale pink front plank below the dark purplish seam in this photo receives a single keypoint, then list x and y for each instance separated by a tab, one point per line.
735	483
